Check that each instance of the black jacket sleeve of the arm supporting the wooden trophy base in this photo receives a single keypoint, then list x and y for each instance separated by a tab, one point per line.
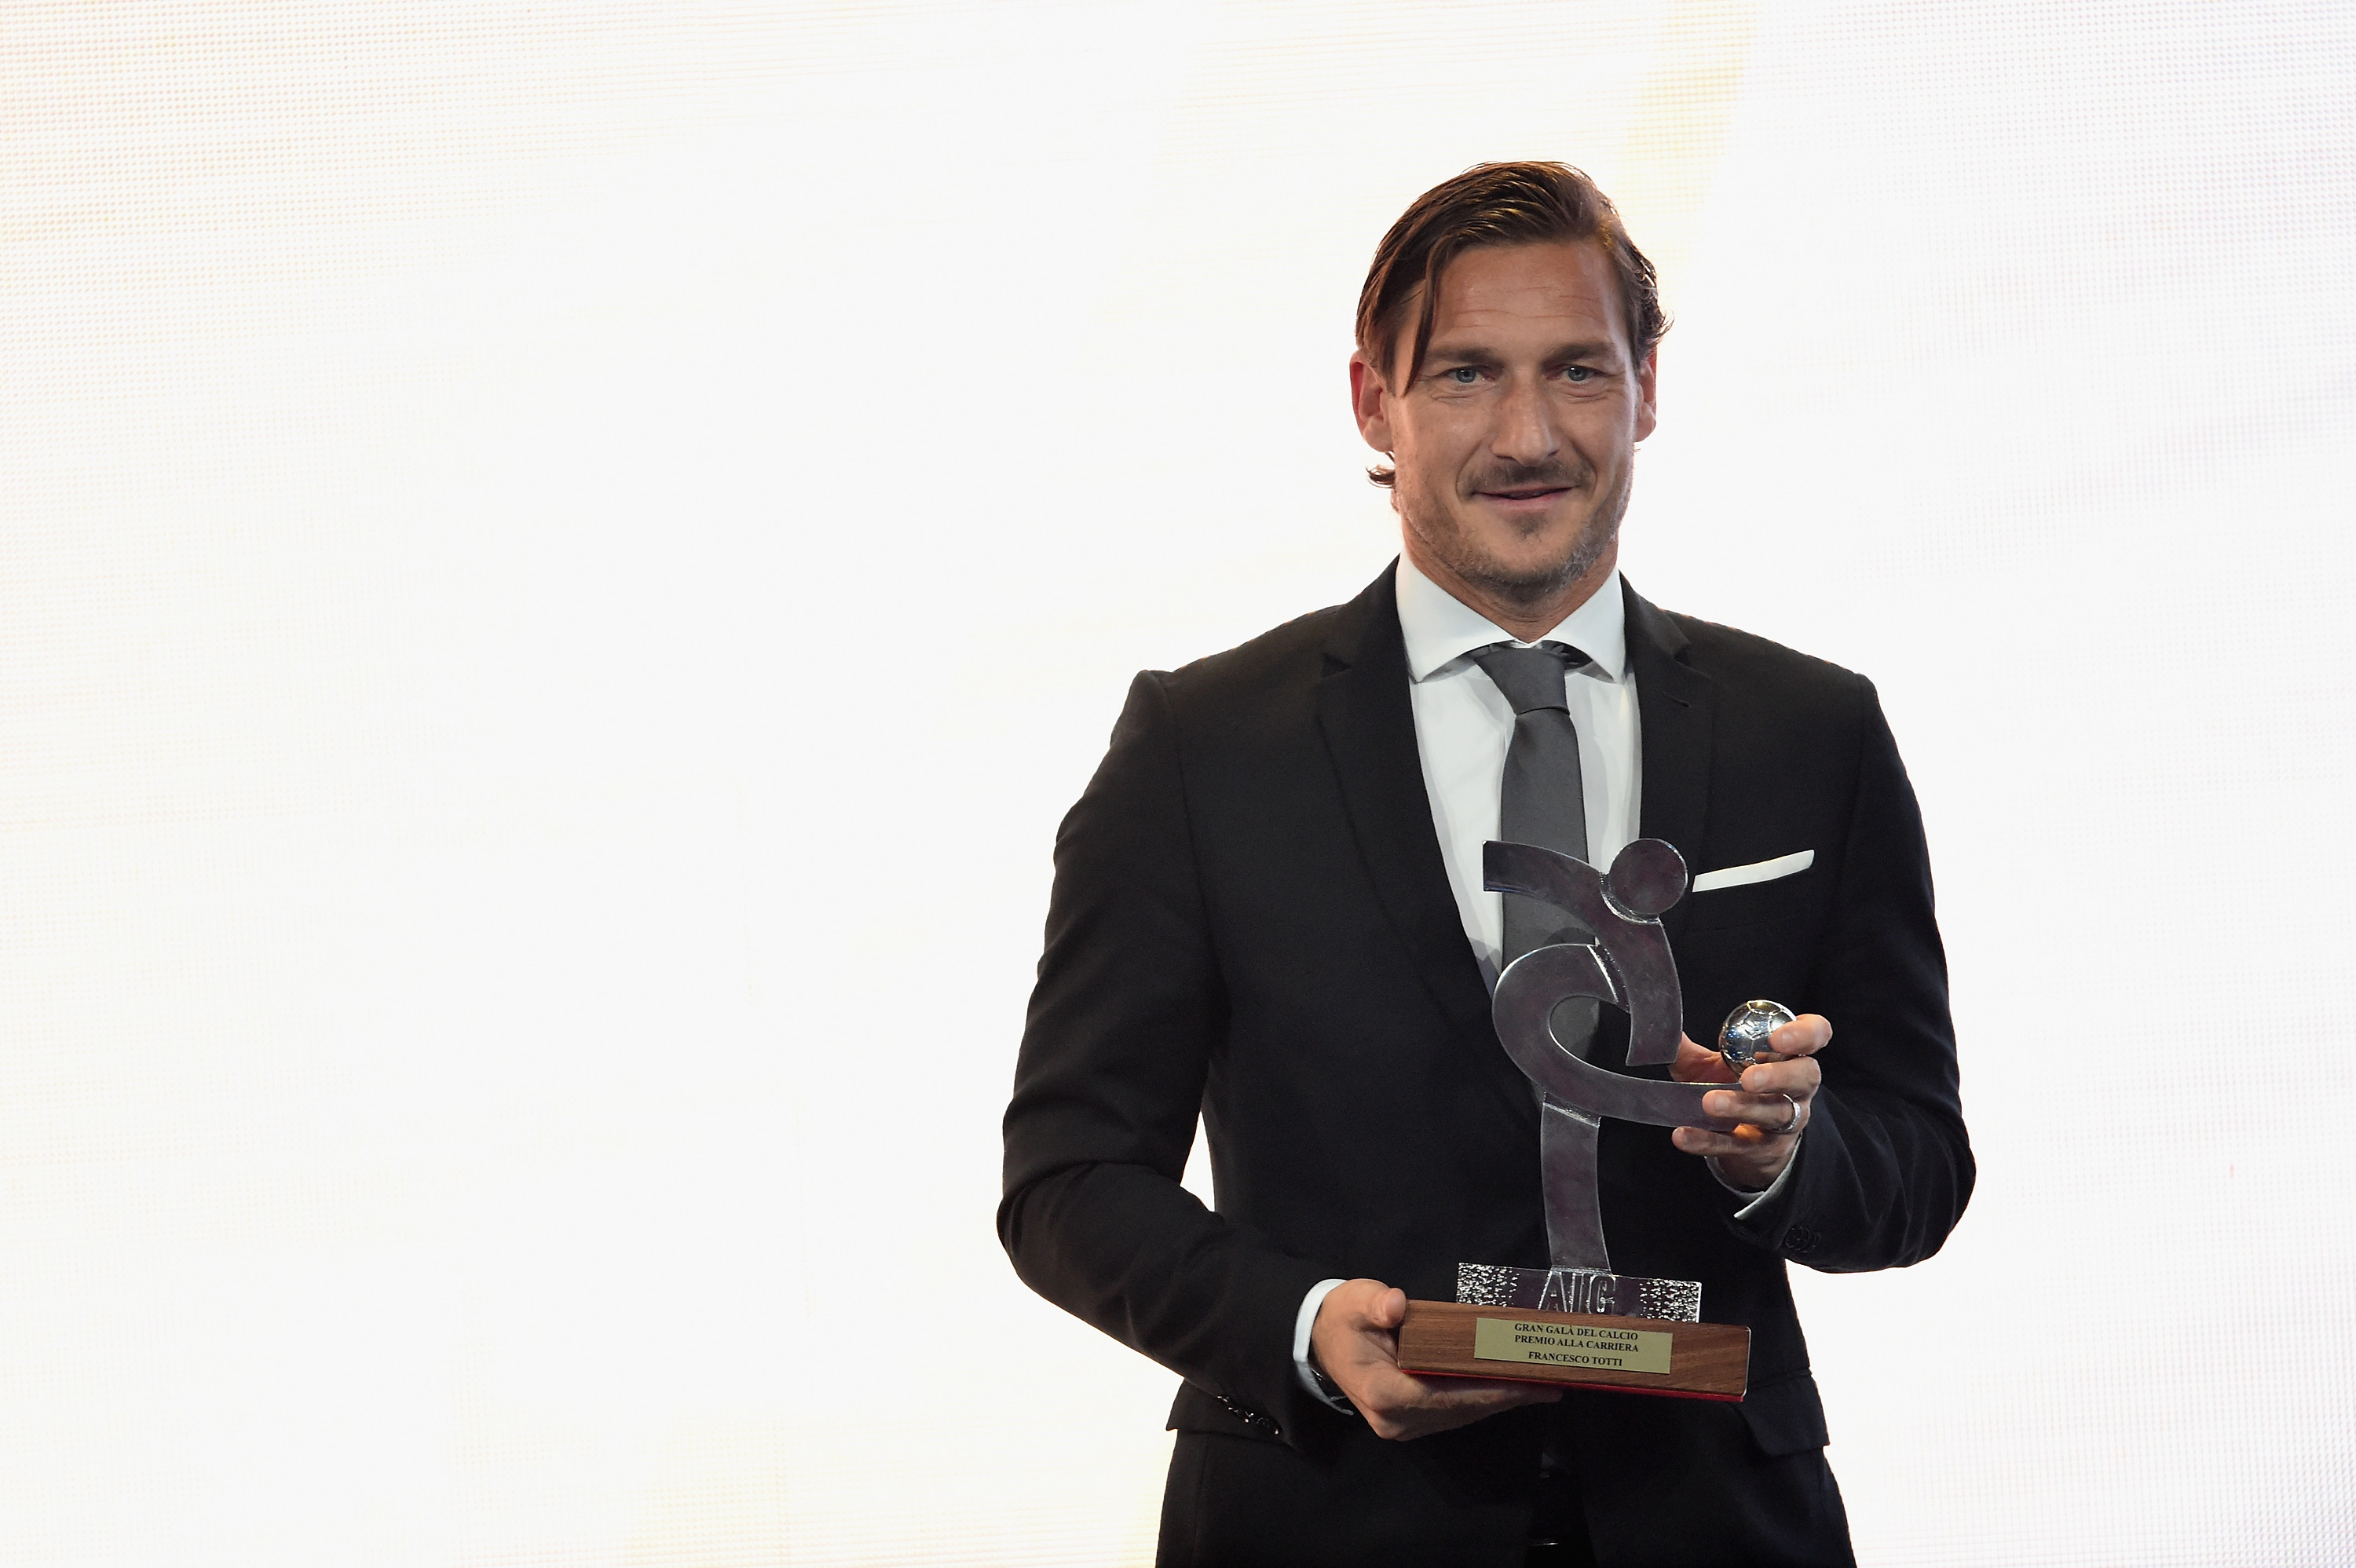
1108	1089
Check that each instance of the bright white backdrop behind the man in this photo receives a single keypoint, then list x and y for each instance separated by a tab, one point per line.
562	564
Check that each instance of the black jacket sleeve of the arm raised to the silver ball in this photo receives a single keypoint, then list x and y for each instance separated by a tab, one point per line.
1886	1169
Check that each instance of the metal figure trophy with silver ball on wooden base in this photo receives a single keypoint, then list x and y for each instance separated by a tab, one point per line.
1577	1322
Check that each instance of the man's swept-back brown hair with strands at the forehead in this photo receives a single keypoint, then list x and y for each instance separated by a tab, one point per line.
1495	204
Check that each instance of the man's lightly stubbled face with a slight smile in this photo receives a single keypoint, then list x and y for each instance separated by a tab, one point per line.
1516	441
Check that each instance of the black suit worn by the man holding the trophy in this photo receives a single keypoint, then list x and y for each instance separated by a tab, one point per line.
1252	922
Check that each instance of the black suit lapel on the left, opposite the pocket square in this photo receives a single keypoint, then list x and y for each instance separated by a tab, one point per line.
1370	731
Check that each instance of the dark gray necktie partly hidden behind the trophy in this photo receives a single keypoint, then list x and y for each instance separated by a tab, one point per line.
1542	802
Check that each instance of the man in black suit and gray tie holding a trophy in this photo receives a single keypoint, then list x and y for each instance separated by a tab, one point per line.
1269	910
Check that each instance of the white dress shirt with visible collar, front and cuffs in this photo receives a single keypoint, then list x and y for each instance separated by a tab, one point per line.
1464	729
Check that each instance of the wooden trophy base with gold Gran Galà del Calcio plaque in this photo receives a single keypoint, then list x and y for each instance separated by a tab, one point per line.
1577	1348
